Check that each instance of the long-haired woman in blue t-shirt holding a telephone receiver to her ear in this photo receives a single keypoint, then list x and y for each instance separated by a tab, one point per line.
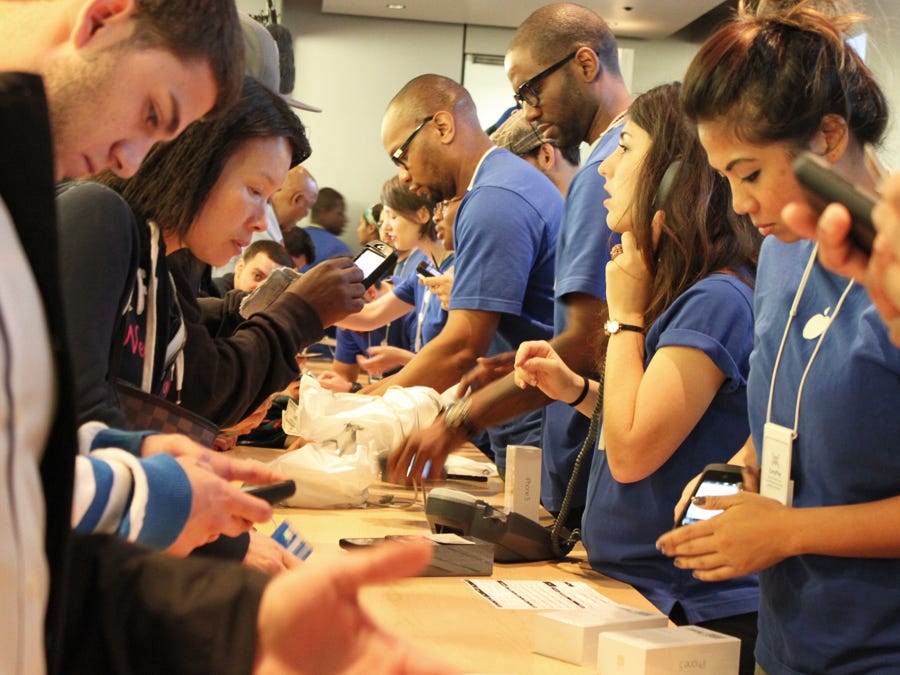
680	301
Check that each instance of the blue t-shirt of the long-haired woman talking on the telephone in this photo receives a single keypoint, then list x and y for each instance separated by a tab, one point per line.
622	521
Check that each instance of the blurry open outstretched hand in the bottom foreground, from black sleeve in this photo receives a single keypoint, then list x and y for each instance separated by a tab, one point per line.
310	620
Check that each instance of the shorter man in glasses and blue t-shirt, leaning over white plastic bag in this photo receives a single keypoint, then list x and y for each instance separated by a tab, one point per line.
504	234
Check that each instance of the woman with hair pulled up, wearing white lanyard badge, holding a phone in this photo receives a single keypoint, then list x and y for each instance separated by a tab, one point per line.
824	386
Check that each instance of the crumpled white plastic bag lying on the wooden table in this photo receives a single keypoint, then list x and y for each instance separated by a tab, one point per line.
347	433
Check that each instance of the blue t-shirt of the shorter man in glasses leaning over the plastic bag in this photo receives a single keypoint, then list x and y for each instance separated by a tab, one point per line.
505	235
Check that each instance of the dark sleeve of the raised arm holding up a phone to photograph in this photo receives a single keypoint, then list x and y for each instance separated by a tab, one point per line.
227	378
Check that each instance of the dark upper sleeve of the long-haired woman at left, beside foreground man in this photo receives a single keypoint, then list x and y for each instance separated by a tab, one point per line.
98	264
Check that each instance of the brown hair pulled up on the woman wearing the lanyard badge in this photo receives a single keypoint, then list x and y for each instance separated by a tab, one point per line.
775	72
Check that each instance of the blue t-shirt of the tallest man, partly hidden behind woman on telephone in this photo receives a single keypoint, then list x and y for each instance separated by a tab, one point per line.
582	251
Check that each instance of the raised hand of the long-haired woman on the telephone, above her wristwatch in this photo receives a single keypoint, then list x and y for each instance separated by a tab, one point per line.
628	282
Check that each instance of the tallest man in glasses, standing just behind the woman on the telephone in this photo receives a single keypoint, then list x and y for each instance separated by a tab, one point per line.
563	67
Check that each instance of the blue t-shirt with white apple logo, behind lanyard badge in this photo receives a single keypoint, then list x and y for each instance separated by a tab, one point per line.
821	614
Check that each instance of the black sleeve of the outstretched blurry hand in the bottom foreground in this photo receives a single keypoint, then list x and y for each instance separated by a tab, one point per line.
133	611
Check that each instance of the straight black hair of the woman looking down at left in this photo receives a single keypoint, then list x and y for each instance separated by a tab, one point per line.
175	179
